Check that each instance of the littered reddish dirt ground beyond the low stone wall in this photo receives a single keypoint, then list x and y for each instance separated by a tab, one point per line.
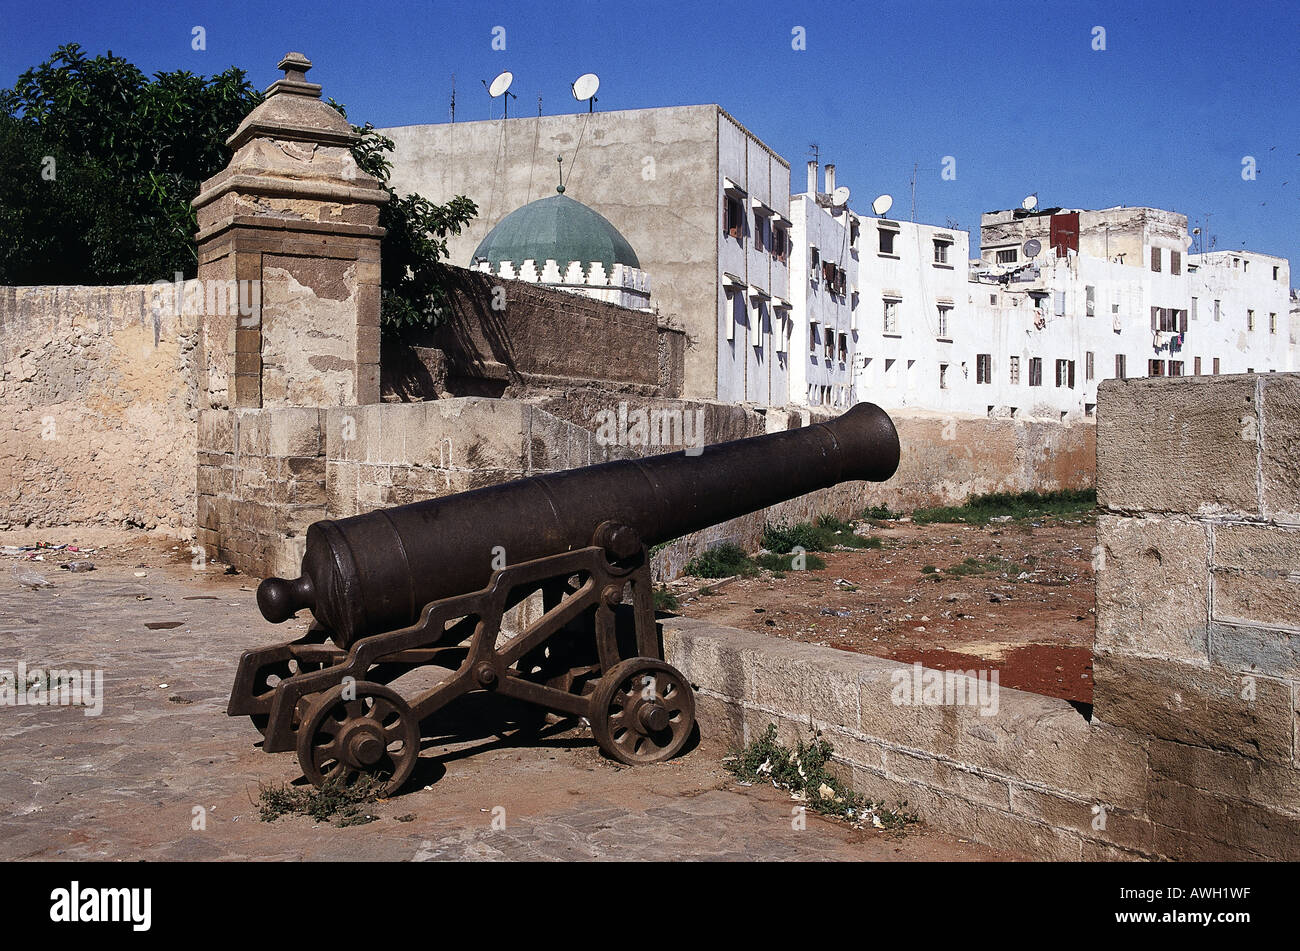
1025	609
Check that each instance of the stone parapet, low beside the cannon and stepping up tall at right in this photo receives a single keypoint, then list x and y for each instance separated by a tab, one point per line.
1190	752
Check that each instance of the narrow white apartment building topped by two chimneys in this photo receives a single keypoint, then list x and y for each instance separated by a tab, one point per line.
825	296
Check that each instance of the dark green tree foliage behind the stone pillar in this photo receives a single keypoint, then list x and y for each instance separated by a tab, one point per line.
99	166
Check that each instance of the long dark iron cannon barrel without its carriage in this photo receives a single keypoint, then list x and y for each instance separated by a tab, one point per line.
376	572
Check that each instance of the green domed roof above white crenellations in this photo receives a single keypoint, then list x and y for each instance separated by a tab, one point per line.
558	229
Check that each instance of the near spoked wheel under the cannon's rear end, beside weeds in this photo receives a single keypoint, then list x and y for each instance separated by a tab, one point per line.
374	733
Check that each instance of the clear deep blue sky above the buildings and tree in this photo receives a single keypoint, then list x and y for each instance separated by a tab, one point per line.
1013	92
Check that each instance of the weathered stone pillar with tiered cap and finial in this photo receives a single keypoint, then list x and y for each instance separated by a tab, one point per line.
289	259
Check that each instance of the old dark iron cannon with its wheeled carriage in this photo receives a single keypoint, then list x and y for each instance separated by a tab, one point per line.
428	585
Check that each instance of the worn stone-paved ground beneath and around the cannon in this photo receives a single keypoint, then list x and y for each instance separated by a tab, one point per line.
125	785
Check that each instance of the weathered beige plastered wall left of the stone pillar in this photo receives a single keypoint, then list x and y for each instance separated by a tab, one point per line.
98	407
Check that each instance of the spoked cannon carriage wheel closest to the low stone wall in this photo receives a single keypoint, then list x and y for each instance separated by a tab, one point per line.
643	711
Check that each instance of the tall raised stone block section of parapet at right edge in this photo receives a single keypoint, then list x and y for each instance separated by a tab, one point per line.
1199	603
